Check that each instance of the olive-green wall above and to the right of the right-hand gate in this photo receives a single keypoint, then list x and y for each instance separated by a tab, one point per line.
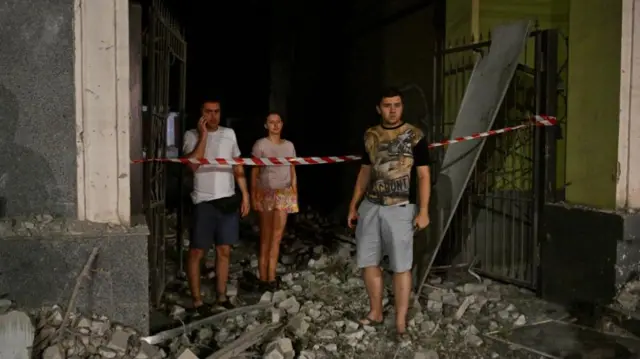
587	156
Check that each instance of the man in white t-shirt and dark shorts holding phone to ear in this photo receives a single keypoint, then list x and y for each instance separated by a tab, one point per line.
217	209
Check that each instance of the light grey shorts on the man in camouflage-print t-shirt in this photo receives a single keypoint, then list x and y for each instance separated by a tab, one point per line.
385	230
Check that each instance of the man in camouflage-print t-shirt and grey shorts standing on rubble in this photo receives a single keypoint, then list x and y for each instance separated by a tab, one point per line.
395	169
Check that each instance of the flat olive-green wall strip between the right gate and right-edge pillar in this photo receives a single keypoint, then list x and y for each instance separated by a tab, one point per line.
594	88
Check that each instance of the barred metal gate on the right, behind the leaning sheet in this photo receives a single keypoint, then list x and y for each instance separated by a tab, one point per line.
496	225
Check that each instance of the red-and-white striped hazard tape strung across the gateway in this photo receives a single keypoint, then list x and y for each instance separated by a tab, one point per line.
286	161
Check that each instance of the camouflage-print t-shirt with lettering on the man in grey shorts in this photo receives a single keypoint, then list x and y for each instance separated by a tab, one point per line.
394	153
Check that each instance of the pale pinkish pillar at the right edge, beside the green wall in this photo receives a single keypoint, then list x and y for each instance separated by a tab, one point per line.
628	167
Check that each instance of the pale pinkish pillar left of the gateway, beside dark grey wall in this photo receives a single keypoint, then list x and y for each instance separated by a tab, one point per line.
102	110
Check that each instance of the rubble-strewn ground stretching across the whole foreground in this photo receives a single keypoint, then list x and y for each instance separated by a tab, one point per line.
313	315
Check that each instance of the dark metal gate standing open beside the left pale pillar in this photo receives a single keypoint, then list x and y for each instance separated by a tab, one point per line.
165	62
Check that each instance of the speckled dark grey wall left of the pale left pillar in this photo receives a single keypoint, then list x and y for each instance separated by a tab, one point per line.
37	113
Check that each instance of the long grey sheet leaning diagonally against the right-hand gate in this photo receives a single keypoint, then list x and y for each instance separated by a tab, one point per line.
482	99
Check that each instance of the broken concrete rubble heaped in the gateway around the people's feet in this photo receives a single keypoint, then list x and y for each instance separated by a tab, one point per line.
321	295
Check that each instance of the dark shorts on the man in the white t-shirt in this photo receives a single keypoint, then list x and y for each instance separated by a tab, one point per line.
211	226
